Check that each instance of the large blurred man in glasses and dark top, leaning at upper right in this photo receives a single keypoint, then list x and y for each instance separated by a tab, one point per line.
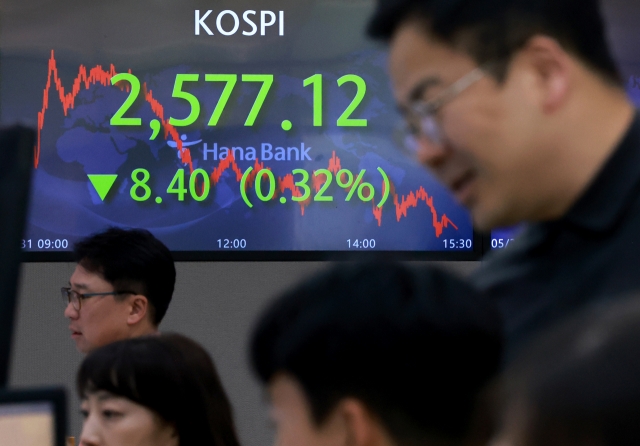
519	109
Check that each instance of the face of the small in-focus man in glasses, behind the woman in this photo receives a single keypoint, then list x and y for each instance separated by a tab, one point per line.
101	320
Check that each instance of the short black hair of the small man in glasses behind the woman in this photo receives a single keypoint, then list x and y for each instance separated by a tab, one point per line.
131	259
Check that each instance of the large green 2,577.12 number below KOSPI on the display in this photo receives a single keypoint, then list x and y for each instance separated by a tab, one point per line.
230	81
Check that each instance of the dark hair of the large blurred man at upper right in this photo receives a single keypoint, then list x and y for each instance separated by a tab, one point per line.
492	31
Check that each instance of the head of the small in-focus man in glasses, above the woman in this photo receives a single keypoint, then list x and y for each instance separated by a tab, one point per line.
121	287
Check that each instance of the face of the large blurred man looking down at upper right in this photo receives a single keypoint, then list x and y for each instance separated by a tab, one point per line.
486	155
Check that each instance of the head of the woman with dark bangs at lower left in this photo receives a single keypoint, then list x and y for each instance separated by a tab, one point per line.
157	390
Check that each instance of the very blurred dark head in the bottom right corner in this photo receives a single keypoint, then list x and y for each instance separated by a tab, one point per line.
576	385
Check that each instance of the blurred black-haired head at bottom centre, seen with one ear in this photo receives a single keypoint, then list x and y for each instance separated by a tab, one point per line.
376	354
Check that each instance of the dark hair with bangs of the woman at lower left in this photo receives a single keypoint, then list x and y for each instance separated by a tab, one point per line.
169	374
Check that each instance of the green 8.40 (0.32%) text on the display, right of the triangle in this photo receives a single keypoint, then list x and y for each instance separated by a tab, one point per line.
264	182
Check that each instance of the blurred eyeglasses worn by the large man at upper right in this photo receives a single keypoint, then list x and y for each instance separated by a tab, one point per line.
422	117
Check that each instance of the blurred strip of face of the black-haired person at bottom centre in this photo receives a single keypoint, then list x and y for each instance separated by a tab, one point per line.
291	414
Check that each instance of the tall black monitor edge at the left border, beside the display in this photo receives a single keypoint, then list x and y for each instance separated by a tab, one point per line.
16	146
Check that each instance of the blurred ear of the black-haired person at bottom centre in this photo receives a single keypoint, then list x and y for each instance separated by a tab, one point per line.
361	426
